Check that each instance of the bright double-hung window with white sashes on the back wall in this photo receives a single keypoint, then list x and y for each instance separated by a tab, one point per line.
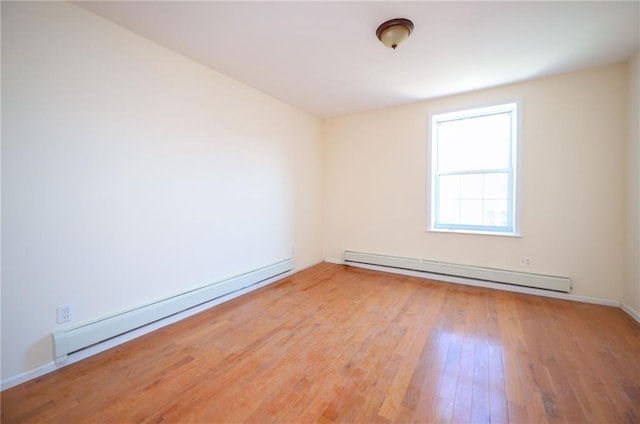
473	170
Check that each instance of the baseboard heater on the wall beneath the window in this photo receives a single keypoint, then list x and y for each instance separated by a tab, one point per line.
525	279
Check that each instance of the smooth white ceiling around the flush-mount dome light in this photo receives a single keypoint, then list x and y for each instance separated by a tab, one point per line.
324	57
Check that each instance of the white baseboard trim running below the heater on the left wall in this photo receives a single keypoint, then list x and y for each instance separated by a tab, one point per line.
116	341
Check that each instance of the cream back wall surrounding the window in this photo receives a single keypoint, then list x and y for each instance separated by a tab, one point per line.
573	182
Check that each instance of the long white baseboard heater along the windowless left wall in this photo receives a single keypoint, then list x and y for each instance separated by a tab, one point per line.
72	340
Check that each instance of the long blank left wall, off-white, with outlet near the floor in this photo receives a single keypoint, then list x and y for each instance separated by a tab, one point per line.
131	173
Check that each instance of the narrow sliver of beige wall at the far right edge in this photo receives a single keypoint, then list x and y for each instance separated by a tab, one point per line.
632	281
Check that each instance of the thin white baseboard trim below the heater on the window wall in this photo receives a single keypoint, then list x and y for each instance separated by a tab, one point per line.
485	284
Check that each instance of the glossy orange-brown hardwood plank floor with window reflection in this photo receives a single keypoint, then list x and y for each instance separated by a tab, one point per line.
340	344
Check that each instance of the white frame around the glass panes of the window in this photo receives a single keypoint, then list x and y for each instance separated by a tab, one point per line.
513	226
